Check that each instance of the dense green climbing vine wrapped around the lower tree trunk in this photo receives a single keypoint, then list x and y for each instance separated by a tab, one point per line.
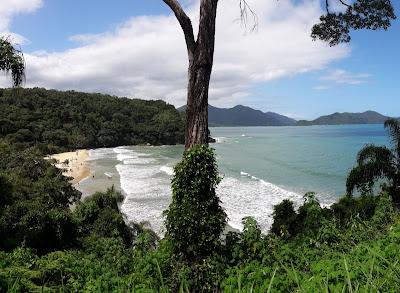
195	219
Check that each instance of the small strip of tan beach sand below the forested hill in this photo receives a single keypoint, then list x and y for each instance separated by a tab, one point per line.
74	164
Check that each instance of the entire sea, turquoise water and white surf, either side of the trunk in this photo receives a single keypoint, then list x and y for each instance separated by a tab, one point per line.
260	166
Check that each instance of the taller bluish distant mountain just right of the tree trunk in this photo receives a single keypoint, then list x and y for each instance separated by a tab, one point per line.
244	116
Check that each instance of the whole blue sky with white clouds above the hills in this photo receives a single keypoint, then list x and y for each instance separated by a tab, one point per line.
135	48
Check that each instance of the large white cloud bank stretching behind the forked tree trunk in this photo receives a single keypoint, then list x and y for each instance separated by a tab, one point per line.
146	57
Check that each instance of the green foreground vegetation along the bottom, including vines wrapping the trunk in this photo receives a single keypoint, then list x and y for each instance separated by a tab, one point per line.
353	246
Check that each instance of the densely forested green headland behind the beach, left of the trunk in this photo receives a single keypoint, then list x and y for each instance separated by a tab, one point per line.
56	121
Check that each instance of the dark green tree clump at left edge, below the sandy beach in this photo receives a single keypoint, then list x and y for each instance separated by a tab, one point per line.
34	203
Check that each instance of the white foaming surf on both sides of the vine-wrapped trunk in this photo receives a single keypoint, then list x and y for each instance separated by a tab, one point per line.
149	194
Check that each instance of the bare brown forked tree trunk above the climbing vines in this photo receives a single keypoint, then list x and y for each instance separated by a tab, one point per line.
201	55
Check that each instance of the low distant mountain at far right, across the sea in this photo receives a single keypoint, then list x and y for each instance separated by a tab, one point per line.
368	117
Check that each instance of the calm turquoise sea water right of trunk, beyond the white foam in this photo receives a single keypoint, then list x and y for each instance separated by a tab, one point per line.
313	158
